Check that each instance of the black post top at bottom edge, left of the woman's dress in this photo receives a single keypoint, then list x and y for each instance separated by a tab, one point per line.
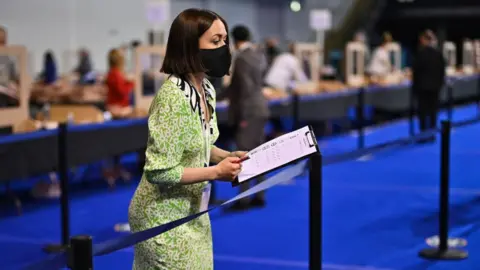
81	253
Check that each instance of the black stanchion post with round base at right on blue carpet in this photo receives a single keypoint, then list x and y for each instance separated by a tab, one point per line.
443	252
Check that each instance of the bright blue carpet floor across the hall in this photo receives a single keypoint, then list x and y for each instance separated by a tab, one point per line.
377	212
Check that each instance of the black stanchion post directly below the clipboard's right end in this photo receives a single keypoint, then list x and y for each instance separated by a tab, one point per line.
315	215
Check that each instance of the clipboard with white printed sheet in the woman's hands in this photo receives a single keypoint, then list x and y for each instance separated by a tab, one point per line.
278	153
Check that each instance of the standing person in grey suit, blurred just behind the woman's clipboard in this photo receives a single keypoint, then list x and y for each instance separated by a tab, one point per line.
248	109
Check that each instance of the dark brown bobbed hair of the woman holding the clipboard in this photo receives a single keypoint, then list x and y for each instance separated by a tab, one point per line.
182	55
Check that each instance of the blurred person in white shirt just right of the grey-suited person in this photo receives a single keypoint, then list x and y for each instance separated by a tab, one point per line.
286	69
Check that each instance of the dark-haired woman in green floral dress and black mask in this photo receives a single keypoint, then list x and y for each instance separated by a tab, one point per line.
182	130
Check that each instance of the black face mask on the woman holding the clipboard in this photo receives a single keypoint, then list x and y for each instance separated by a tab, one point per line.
216	61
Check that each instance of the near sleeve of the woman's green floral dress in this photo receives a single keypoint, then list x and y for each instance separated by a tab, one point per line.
167	133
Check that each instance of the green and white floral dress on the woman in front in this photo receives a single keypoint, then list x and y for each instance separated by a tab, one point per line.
179	137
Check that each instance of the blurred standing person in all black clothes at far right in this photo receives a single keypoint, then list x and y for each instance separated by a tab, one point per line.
428	73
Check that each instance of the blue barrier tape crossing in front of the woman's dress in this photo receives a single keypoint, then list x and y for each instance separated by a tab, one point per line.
119	243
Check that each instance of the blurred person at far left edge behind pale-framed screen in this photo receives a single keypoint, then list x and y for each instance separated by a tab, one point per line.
8	76
